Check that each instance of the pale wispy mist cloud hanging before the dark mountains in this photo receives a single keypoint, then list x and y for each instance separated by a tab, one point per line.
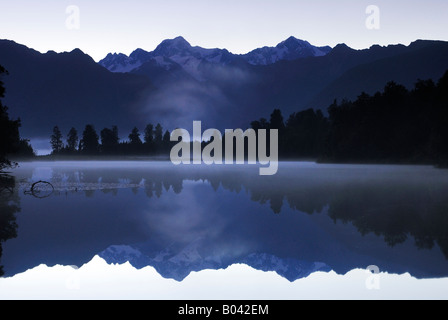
177	104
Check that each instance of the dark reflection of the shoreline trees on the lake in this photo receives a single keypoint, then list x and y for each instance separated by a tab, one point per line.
396	208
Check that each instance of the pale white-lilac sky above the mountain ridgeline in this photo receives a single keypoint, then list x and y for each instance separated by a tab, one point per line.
98	27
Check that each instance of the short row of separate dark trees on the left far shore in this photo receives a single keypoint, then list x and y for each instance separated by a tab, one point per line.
107	142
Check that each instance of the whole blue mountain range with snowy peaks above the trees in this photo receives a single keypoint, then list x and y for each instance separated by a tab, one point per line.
178	83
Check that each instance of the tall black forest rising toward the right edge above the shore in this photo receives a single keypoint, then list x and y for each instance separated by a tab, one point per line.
396	125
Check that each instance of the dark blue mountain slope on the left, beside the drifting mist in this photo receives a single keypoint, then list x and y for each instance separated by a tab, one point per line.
66	89
